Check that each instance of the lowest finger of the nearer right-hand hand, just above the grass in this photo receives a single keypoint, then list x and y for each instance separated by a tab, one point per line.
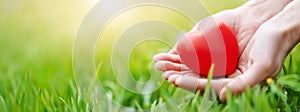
254	75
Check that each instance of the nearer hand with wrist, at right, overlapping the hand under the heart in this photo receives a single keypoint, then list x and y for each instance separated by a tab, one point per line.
265	53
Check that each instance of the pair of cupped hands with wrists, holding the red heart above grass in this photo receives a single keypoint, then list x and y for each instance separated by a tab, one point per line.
266	30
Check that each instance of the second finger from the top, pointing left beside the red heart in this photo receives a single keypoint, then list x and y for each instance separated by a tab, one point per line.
167	65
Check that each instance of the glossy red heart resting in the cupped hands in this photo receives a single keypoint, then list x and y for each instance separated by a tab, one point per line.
213	43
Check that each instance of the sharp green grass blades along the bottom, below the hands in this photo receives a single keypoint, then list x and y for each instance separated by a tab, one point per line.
20	93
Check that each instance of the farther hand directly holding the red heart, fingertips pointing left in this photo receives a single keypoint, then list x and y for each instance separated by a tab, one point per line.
241	20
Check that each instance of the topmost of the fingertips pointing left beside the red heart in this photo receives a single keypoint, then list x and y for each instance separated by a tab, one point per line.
167	57
